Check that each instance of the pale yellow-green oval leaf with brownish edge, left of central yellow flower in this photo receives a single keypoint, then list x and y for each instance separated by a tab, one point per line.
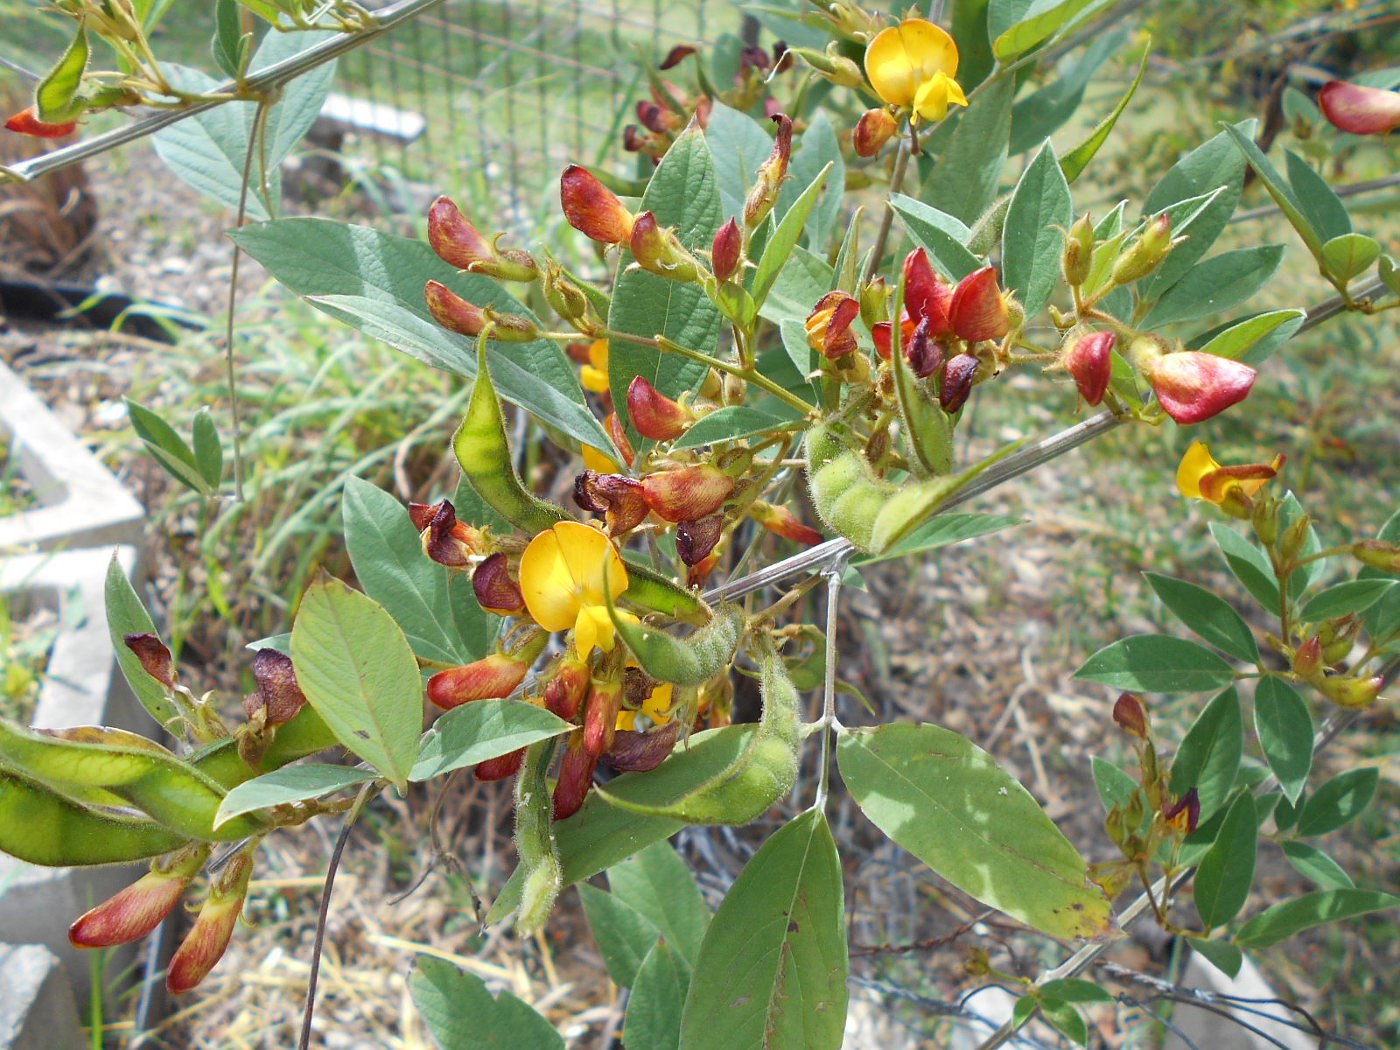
360	675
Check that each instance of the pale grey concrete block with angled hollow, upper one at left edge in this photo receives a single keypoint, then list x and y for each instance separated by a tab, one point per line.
82	505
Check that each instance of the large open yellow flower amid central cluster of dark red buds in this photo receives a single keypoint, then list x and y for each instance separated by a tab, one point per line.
565	576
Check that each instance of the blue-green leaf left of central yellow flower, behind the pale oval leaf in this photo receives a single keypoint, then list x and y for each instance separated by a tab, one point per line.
435	607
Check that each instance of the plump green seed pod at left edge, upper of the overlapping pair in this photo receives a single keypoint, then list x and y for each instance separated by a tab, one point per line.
166	789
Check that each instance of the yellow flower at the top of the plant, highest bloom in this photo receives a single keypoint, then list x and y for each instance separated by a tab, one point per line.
913	65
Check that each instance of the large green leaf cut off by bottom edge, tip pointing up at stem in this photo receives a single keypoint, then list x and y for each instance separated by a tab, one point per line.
773	965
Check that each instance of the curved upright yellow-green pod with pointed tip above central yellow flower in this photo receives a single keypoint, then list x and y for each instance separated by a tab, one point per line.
485	457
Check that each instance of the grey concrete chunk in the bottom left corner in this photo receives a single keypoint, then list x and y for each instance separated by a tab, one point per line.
37	1006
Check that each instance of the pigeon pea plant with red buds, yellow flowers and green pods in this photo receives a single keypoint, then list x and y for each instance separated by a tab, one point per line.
745	335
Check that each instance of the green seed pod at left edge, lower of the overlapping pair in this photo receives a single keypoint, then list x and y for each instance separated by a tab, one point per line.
40	827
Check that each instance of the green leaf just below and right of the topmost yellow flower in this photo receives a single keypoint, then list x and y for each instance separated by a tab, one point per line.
964	183
